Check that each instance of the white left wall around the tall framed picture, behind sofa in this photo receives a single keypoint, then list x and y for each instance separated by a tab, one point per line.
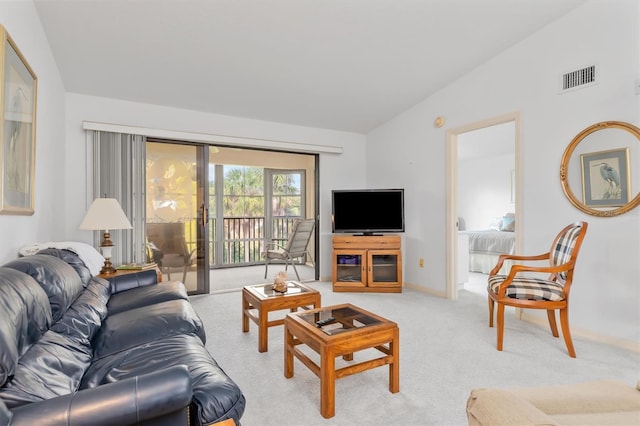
23	25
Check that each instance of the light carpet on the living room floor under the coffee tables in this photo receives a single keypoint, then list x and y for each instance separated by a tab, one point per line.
446	349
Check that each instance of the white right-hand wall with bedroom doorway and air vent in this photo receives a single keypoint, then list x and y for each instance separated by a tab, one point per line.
606	288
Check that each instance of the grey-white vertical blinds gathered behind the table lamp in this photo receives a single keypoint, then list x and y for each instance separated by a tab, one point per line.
119	172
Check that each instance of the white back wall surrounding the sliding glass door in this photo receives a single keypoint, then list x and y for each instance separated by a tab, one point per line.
335	169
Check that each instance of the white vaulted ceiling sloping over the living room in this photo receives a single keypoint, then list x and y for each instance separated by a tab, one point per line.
338	64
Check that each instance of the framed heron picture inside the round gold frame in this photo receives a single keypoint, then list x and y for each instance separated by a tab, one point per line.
606	178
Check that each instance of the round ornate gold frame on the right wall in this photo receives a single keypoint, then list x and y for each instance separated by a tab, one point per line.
564	169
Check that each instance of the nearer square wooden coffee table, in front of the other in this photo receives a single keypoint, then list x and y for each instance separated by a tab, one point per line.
340	330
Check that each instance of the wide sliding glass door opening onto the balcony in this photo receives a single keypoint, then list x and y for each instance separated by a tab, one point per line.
210	207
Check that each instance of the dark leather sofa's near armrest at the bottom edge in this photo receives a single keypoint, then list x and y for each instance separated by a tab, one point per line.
158	398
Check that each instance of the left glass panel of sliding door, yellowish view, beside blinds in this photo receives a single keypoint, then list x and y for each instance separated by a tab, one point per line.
176	212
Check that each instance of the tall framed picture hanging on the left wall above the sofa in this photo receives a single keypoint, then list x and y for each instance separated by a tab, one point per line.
18	91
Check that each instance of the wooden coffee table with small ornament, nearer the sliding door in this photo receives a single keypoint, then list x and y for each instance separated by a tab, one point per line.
263	299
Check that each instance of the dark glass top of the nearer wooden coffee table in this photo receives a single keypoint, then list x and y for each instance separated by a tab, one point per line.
339	320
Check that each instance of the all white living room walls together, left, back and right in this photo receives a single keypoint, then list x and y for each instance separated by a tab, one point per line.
606	293
